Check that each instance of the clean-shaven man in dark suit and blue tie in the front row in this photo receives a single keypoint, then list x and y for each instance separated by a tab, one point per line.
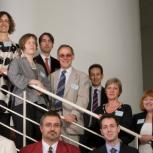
109	127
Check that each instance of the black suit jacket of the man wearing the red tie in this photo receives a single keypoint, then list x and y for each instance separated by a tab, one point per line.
54	63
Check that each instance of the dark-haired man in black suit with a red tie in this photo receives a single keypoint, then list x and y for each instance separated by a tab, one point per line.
50	64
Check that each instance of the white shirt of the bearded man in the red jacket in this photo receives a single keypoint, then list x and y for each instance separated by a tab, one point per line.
45	147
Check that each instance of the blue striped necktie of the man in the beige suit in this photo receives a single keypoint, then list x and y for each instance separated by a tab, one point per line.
60	90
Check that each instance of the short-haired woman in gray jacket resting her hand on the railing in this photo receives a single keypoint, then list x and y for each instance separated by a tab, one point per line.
23	72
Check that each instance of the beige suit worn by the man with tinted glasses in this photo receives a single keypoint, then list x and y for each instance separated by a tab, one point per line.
76	91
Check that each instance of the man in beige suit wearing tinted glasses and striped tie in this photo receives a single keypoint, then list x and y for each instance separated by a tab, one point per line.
75	89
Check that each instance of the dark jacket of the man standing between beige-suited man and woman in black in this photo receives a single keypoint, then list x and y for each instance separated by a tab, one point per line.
103	101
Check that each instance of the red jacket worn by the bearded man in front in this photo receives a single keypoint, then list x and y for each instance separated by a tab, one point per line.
62	147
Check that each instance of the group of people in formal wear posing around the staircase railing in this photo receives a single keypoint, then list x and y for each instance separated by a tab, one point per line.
20	67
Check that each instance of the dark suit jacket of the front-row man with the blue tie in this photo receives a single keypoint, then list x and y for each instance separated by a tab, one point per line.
123	149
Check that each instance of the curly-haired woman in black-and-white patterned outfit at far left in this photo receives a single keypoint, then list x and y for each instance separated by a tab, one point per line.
8	51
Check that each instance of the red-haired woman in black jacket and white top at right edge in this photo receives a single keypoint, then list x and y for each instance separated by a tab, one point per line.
142	123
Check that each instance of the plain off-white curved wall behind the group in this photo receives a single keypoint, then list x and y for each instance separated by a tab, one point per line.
100	31
